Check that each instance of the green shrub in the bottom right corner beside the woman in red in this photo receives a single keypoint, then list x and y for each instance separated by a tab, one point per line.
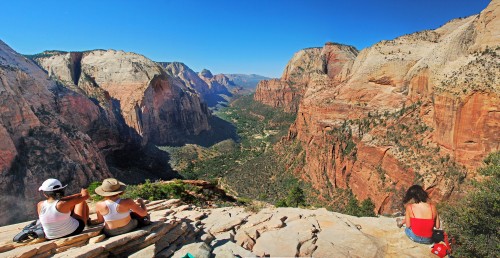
474	221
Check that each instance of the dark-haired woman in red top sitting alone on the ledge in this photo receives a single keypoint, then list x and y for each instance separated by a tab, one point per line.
421	217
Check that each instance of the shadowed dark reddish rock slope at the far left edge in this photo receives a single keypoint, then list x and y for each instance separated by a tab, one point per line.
40	136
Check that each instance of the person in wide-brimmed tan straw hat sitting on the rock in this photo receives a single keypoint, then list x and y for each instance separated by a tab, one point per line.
116	212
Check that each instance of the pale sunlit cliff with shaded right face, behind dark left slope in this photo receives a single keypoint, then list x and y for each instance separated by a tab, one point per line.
134	89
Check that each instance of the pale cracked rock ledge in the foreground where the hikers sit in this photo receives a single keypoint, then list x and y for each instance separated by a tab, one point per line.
232	232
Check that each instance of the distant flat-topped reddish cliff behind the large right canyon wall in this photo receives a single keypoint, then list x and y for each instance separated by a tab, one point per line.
303	69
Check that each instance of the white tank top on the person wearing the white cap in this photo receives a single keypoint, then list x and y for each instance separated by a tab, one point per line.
56	224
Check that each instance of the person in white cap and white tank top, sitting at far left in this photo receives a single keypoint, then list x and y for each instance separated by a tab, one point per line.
60	215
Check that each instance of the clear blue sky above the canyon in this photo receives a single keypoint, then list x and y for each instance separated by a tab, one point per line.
235	36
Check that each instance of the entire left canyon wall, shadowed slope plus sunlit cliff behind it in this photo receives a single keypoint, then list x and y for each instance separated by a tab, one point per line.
86	116
